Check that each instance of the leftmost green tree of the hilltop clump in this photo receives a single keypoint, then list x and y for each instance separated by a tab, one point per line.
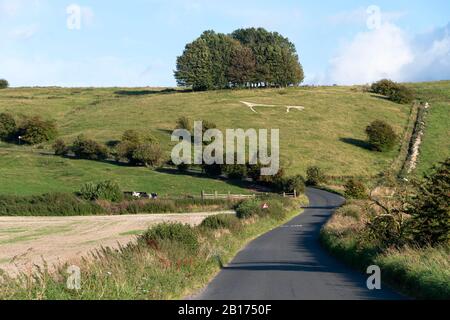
194	67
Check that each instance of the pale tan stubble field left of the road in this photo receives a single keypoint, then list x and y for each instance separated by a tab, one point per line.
25	241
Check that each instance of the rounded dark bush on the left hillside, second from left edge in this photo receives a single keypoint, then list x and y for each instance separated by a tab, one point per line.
34	130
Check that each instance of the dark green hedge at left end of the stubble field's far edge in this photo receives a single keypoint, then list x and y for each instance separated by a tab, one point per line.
51	204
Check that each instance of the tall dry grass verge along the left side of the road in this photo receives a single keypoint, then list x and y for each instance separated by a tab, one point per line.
140	272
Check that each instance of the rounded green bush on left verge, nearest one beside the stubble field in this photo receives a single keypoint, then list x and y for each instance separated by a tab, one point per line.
177	233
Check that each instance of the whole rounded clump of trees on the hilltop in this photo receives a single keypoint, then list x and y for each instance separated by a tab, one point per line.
247	58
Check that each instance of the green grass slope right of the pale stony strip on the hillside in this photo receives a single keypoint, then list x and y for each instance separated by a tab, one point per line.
436	143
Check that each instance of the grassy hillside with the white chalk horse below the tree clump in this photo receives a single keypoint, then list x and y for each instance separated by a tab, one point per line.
328	133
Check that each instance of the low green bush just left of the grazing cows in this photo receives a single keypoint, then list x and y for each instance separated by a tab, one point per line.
106	190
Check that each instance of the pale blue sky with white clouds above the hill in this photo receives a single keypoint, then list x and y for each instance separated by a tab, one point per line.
135	43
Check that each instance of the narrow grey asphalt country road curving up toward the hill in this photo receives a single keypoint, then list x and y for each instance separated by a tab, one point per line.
289	263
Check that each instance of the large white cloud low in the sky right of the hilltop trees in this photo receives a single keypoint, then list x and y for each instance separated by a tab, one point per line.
388	52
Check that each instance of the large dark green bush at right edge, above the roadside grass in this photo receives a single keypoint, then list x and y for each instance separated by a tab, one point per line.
430	208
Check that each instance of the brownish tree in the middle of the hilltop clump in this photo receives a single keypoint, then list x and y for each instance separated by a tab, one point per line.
243	66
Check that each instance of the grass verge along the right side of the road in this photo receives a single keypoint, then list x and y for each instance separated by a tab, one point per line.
422	273
